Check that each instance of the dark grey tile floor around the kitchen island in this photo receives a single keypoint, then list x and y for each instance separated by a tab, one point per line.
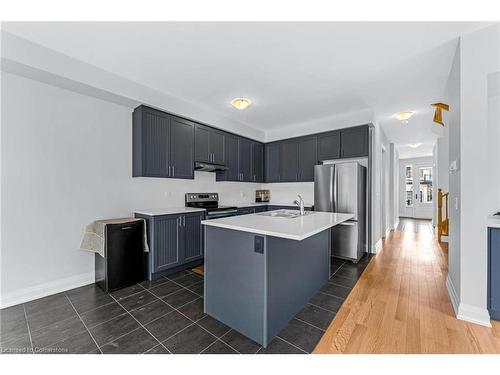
160	317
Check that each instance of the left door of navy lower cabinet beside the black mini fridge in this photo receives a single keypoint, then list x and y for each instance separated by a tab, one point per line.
166	247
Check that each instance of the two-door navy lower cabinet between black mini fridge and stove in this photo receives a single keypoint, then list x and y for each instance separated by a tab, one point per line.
175	242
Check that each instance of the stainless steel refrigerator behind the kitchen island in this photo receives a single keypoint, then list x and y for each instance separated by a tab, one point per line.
341	187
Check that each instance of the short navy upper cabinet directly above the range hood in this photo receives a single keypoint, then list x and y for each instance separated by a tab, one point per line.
209	145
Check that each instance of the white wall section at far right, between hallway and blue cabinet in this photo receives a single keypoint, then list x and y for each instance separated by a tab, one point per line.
480	57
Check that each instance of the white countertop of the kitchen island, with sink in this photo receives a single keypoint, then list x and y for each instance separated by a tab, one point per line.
298	228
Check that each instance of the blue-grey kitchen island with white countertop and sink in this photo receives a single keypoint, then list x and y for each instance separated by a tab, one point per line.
261	269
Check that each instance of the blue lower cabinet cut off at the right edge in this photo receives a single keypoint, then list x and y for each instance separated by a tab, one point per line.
494	273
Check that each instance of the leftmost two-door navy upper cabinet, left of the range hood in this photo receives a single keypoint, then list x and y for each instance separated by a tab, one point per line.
163	145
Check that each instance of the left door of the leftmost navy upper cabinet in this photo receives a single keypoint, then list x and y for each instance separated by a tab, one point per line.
155	143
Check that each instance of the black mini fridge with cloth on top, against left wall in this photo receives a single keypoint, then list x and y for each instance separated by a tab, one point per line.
124	261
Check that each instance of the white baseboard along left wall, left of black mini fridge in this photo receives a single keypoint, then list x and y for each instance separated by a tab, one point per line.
46	289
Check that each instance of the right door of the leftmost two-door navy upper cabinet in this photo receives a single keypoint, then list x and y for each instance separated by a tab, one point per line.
181	148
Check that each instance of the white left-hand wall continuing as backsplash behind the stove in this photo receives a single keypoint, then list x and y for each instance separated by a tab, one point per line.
66	161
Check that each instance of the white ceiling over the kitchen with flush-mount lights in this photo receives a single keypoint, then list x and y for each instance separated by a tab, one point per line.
293	72
